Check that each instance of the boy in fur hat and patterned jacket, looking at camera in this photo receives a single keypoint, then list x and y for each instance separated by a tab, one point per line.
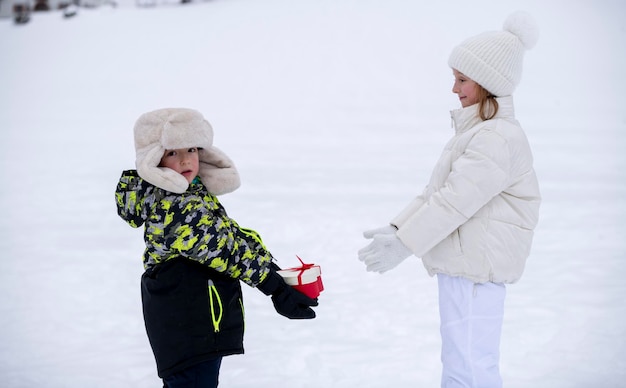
195	254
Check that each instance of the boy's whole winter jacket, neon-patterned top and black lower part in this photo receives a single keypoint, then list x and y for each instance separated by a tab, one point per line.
195	256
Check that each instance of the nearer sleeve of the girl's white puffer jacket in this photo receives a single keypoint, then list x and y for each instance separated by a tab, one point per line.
475	177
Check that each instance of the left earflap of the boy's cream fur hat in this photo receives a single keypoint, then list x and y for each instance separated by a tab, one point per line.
162	177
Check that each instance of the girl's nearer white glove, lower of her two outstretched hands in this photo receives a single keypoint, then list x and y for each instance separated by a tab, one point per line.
385	252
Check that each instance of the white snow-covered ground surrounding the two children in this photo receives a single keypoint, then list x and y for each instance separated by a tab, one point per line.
334	112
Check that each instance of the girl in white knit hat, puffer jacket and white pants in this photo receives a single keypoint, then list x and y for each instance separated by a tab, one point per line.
473	223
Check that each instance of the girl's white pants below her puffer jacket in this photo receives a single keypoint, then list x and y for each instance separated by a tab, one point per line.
471	323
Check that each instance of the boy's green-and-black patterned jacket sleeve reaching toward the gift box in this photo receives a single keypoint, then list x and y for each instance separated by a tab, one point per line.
204	233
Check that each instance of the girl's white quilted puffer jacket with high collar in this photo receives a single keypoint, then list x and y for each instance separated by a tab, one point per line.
475	219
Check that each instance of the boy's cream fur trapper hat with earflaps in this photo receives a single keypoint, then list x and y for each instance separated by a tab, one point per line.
173	128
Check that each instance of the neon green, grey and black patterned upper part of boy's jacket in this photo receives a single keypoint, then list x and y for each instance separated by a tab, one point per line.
192	225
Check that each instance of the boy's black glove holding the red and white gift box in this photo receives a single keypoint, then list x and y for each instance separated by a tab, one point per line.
288	301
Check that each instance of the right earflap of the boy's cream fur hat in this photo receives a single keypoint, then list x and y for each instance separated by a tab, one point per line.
217	171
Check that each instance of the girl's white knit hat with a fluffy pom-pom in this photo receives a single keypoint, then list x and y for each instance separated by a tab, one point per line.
494	59
